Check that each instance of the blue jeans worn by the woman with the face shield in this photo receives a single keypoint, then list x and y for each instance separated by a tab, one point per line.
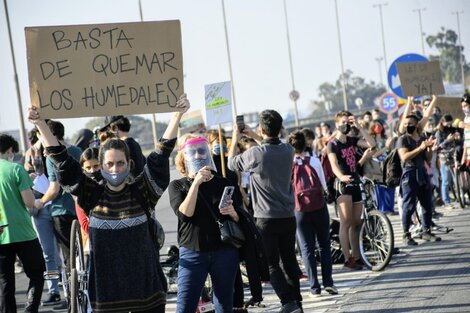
193	268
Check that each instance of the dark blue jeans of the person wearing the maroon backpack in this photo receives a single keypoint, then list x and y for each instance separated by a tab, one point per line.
313	226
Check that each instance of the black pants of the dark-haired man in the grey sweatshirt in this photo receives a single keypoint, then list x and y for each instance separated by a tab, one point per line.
278	236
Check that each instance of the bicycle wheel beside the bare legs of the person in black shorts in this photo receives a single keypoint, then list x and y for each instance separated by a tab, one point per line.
376	241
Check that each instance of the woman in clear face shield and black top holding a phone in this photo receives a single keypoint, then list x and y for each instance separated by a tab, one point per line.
202	252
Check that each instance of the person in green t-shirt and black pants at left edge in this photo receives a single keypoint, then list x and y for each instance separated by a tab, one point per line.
17	235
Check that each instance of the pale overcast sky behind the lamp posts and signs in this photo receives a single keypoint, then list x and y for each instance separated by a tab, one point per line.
257	36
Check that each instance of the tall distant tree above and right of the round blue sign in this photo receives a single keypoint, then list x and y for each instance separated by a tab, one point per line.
446	43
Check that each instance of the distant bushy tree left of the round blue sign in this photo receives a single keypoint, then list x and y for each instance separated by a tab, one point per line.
356	87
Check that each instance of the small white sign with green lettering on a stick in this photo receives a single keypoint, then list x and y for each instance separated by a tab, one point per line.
218	103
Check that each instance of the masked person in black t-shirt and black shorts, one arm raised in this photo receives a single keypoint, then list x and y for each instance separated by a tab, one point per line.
342	157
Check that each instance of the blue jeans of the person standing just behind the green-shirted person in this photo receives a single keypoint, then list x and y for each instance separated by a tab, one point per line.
45	228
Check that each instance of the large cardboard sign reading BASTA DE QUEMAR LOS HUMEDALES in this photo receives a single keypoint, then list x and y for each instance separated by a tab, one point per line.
105	69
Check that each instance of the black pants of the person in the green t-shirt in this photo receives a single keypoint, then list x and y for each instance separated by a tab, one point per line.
30	254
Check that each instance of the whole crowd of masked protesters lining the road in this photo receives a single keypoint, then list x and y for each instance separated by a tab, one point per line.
281	190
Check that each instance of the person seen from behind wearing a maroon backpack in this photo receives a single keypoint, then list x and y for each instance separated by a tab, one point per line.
311	213
